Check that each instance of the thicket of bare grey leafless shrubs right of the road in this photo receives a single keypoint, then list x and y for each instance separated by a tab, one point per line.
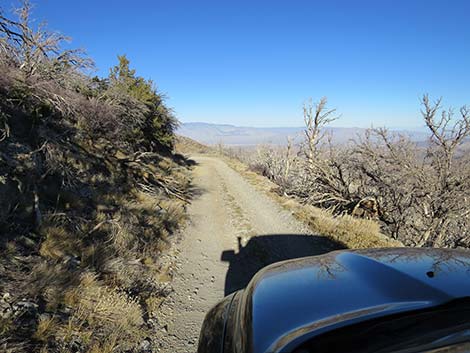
420	195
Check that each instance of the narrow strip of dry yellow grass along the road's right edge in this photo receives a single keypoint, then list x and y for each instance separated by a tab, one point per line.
351	232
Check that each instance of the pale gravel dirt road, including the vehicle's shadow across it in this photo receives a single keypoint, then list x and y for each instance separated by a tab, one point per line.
234	230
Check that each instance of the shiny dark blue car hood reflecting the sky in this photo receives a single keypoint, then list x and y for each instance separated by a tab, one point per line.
291	300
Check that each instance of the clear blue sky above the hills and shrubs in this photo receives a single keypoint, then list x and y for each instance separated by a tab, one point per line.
255	62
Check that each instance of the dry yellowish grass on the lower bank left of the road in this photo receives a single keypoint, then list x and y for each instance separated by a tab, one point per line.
96	268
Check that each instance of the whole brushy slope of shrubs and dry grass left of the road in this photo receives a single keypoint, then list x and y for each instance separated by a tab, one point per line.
90	192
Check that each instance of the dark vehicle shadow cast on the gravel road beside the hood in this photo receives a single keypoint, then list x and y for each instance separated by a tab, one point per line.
264	250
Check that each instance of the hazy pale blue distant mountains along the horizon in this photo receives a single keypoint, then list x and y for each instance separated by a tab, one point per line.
232	135
